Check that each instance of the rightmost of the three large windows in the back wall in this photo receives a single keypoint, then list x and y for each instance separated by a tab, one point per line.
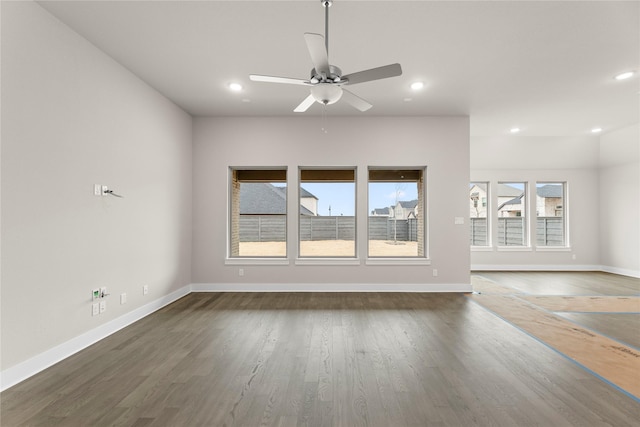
396	213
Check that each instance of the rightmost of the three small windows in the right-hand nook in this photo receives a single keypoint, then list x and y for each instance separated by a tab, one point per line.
550	217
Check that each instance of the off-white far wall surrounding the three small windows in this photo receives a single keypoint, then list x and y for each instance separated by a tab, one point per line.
530	159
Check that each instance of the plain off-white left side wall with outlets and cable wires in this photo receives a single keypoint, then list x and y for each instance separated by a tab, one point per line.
72	118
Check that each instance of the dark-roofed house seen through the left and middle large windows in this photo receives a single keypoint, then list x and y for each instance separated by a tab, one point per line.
267	199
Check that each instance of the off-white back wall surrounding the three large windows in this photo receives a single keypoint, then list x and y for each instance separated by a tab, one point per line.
440	143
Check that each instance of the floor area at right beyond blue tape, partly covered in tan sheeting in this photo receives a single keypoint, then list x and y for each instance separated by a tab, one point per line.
614	357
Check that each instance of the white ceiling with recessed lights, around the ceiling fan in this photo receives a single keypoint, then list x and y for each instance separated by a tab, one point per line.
544	66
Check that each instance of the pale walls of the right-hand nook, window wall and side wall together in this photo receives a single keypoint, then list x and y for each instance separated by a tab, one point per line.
601	174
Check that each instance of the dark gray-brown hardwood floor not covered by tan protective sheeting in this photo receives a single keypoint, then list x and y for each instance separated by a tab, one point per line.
334	359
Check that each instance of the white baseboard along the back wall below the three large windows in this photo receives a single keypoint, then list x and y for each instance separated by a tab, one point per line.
330	287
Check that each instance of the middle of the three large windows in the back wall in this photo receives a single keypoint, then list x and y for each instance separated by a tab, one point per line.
327	199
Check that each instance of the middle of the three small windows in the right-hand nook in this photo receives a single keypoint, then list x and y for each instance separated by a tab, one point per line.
512	212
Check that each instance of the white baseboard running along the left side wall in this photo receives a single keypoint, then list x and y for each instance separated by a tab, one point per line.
20	372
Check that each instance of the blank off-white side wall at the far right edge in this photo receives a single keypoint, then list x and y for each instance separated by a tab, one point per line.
620	188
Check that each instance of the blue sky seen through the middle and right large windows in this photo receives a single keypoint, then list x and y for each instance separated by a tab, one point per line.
341	196
